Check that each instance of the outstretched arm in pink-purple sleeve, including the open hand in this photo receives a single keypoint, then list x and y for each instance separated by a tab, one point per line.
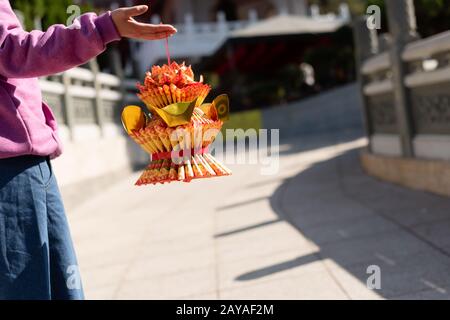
34	54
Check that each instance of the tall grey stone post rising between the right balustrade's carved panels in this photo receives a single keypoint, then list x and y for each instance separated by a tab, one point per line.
402	28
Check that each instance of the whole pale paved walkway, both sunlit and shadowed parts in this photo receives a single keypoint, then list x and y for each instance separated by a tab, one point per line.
309	232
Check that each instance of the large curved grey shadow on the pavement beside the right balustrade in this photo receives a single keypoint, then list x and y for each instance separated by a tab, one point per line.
358	221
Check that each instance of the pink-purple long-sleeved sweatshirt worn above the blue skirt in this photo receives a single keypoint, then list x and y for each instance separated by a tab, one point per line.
27	125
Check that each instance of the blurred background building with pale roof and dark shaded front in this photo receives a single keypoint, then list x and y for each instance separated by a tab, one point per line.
255	50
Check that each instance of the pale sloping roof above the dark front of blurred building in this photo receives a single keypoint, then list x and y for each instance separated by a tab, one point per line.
290	24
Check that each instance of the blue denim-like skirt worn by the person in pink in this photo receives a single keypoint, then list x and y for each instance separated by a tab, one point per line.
37	259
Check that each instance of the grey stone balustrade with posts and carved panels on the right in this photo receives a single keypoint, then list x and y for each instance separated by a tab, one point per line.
405	90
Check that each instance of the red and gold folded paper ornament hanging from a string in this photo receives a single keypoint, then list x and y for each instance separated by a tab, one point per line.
181	127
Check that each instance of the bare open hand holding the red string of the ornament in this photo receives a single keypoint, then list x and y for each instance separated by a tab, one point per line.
130	28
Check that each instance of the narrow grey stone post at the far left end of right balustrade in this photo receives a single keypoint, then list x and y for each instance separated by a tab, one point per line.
365	45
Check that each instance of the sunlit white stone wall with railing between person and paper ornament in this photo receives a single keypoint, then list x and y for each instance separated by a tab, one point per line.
95	145
